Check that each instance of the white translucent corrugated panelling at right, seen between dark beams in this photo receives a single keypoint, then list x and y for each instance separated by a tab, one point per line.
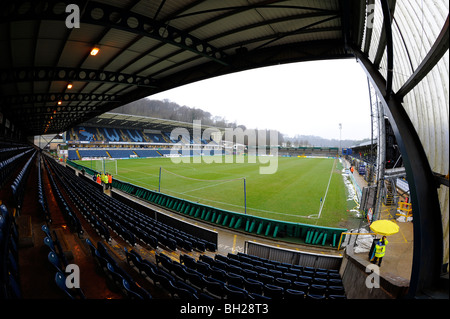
416	27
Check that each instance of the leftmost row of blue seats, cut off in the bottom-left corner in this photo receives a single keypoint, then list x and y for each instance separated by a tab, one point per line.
9	270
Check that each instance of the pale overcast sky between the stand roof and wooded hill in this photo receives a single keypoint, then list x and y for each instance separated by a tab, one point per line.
308	98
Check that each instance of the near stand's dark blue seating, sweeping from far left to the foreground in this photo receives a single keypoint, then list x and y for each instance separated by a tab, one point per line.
236	276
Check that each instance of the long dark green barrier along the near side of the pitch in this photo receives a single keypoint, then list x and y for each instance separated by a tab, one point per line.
265	227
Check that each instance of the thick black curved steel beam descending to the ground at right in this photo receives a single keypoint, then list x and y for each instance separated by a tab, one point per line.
428	245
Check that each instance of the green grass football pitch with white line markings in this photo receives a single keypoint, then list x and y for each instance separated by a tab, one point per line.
292	194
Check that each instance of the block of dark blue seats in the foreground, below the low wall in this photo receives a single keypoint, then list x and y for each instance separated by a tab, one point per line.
236	276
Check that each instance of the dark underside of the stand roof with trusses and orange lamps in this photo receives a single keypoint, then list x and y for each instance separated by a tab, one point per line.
150	46
